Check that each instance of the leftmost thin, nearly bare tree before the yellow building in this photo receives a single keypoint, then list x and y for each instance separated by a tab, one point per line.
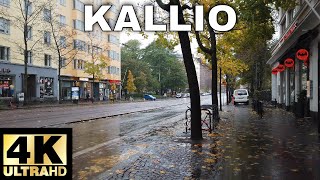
26	16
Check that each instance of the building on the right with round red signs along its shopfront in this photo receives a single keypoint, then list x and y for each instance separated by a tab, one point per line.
295	60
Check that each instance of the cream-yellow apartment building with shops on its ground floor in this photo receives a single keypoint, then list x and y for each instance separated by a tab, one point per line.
77	48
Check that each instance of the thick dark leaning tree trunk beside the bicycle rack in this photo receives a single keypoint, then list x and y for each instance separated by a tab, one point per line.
196	130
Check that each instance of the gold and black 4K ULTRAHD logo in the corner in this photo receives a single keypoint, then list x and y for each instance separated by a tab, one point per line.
36	153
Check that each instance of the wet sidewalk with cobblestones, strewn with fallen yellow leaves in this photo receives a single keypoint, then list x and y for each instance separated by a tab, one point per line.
243	147
